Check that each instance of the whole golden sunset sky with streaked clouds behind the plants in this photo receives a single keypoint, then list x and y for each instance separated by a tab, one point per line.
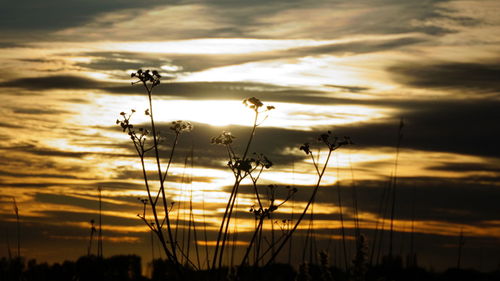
355	68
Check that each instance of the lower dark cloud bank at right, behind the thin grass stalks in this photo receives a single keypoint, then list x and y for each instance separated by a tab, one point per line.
424	198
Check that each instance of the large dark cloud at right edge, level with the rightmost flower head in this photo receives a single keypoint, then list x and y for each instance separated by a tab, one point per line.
466	126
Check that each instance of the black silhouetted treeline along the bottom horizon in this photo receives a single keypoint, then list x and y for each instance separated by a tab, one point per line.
128	268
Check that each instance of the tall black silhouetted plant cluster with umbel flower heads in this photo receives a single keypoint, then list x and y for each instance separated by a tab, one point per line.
242	165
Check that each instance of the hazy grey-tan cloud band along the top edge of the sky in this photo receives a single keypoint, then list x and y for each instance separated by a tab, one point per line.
237	19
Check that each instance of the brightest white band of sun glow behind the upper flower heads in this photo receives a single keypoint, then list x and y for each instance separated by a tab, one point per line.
229	112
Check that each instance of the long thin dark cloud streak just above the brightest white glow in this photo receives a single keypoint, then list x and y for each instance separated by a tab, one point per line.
190	90
